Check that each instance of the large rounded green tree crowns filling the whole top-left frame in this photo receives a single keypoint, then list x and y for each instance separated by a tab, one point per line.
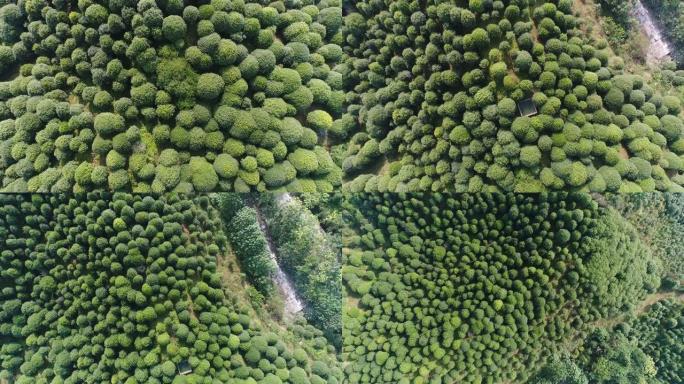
154	96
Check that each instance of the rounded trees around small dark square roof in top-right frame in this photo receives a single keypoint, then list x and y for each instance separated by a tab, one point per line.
433	87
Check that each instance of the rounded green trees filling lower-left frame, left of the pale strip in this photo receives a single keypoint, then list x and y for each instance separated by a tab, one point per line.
126	288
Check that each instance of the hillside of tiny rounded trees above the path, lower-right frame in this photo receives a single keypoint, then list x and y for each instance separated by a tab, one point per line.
480	287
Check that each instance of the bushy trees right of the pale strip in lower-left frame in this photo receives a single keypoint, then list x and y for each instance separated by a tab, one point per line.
311	259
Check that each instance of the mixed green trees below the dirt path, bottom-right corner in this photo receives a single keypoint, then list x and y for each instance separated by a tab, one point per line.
645	349
